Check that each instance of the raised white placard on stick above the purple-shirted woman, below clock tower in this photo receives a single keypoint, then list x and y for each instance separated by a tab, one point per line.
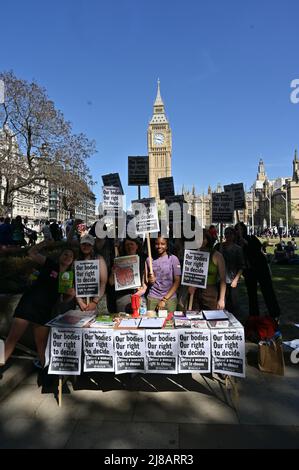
146	215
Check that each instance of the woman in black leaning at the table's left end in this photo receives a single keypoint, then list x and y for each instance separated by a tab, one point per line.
37	303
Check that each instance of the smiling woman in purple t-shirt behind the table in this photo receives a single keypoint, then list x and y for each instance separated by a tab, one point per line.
165	280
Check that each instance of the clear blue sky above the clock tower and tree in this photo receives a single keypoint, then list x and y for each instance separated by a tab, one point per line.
225	68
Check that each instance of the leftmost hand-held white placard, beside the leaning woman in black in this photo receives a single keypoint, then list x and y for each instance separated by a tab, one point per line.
87	278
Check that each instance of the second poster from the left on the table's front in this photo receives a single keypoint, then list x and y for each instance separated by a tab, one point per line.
98	350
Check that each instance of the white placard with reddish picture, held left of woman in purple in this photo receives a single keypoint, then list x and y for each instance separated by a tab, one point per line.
126	272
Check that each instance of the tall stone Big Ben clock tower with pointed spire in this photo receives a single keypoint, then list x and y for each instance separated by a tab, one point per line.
159	144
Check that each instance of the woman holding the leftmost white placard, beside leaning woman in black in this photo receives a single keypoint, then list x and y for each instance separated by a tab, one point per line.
87	253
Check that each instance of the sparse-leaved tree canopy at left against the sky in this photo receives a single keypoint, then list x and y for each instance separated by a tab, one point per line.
37	144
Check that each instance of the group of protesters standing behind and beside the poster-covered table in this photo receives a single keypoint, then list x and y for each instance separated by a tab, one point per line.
239	254
